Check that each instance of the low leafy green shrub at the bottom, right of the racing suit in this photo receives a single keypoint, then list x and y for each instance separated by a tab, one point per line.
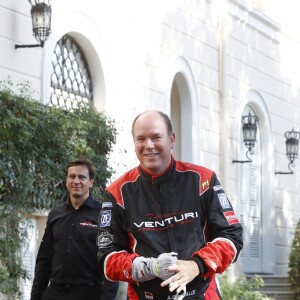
242	288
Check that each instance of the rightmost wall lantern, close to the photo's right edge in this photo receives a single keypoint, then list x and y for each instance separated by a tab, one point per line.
292	143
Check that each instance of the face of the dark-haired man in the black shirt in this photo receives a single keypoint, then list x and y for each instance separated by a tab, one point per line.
78	182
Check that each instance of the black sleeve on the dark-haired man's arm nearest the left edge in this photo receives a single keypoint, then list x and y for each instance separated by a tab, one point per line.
43	265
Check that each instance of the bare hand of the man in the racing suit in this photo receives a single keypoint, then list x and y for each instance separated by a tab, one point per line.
186	271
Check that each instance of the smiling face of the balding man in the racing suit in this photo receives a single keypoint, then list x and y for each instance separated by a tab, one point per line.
153	144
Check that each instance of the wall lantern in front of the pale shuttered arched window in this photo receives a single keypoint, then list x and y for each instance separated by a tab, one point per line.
249	135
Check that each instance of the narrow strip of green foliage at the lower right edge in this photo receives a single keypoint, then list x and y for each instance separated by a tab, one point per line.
294	263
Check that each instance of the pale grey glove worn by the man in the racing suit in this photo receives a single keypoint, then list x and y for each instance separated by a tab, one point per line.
147	268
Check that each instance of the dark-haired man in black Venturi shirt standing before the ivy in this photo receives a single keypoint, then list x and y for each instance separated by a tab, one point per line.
67	257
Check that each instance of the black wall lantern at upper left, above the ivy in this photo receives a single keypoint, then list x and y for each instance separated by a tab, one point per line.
41	22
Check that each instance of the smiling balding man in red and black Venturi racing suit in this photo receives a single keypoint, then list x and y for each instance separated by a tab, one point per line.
167	226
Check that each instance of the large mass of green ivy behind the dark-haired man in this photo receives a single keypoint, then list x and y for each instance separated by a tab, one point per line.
36	143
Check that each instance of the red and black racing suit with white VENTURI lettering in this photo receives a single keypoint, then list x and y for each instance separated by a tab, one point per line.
184	210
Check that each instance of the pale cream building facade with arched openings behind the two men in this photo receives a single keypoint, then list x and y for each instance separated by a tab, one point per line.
205	63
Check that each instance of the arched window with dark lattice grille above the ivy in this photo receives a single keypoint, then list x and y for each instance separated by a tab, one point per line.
71	82
